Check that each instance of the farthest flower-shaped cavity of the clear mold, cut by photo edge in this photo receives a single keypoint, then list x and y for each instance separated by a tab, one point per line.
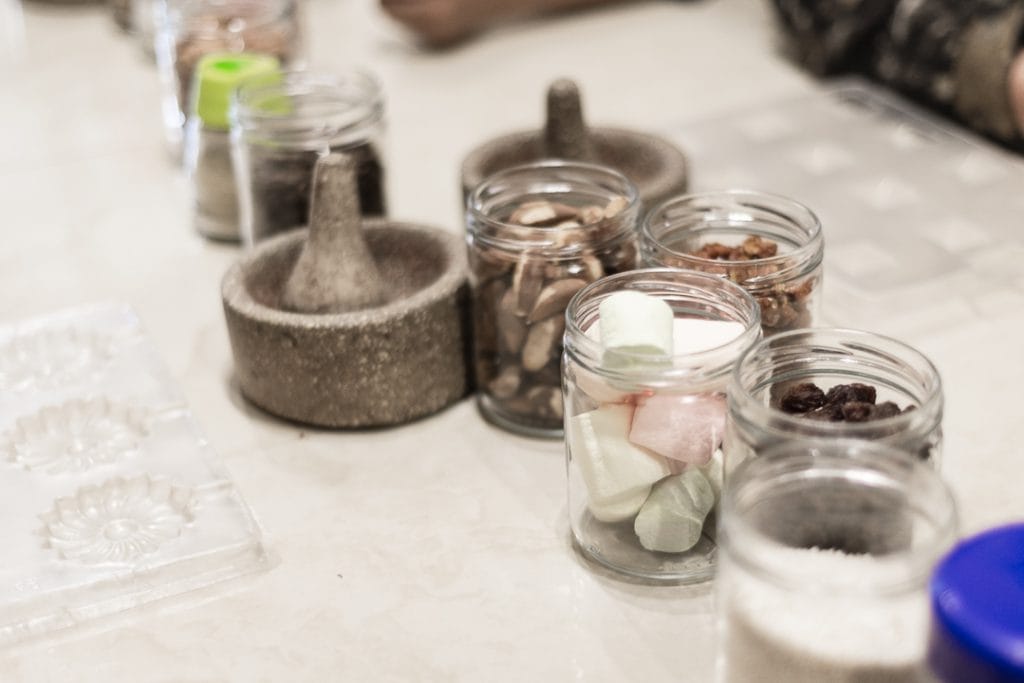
53	359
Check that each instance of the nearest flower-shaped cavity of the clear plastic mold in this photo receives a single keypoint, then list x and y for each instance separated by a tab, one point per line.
120	521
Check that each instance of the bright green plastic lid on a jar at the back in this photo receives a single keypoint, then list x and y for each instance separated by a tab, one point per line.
221	73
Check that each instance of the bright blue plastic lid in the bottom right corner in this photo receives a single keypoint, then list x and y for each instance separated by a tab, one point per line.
978	610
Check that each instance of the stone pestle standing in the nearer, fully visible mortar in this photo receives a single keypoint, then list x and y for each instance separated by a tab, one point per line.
335	273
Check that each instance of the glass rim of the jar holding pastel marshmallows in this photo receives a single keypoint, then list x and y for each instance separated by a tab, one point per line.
578	344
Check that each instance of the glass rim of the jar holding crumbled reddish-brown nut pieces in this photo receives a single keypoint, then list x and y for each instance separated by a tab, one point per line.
802	260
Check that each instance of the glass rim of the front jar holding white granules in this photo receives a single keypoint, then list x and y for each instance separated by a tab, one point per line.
855	462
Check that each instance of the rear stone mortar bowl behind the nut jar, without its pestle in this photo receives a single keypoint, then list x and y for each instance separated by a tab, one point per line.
655	165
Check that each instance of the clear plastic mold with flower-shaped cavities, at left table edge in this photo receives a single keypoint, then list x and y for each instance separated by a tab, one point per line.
112	497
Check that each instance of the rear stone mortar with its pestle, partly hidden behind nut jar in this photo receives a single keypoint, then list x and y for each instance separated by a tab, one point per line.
656	166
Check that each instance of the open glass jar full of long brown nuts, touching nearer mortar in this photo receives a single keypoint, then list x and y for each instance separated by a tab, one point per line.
523	277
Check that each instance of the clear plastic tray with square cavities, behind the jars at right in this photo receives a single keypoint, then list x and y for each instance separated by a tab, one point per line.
922	221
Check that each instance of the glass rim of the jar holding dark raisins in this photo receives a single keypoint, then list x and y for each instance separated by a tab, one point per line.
744	399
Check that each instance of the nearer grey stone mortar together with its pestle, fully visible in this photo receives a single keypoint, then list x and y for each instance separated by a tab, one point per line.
352	323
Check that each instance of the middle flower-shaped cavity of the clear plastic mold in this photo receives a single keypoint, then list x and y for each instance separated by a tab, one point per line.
75	437
